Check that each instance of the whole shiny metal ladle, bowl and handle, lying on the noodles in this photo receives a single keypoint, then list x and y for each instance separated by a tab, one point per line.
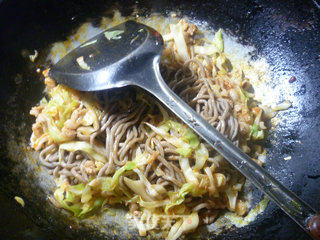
129	54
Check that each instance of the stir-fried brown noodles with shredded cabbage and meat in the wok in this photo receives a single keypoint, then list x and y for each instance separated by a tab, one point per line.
123	147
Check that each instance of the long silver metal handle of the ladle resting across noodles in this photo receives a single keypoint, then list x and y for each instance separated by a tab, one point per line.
292	205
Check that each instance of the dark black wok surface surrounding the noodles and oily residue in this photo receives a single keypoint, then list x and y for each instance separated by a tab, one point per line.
286	33
